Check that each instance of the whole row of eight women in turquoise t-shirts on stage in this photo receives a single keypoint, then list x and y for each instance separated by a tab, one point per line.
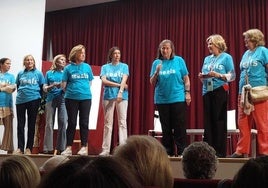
67	89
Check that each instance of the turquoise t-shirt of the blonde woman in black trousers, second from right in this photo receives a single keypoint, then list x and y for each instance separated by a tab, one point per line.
222	64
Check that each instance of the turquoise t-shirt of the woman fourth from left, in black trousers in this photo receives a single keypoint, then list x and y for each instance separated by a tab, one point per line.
78	77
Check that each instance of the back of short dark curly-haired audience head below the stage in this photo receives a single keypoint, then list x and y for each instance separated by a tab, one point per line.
199	161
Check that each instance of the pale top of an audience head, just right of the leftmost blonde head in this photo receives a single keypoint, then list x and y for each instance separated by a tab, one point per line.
52	163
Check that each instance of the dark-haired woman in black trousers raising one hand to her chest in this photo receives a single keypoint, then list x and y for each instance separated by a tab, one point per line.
169	75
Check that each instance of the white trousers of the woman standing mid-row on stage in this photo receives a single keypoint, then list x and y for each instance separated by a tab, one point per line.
121	109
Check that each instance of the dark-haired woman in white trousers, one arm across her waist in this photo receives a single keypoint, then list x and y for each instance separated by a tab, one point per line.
114	75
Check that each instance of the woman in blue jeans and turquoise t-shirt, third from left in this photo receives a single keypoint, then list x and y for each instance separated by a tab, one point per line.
55	101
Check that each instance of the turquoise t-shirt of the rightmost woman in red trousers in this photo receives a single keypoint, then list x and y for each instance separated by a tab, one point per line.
253	63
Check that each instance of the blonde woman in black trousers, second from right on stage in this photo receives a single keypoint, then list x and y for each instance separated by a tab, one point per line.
217	72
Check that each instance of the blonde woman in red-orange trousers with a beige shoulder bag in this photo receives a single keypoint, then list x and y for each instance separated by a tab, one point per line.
253	67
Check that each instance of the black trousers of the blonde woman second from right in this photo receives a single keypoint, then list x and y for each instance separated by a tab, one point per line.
215	120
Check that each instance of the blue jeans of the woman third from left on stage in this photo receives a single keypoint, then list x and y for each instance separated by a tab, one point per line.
58	103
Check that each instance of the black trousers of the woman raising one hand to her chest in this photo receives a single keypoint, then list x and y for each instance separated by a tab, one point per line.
172	119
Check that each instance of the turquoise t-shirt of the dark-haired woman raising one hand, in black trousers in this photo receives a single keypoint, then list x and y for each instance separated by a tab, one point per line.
170	84
